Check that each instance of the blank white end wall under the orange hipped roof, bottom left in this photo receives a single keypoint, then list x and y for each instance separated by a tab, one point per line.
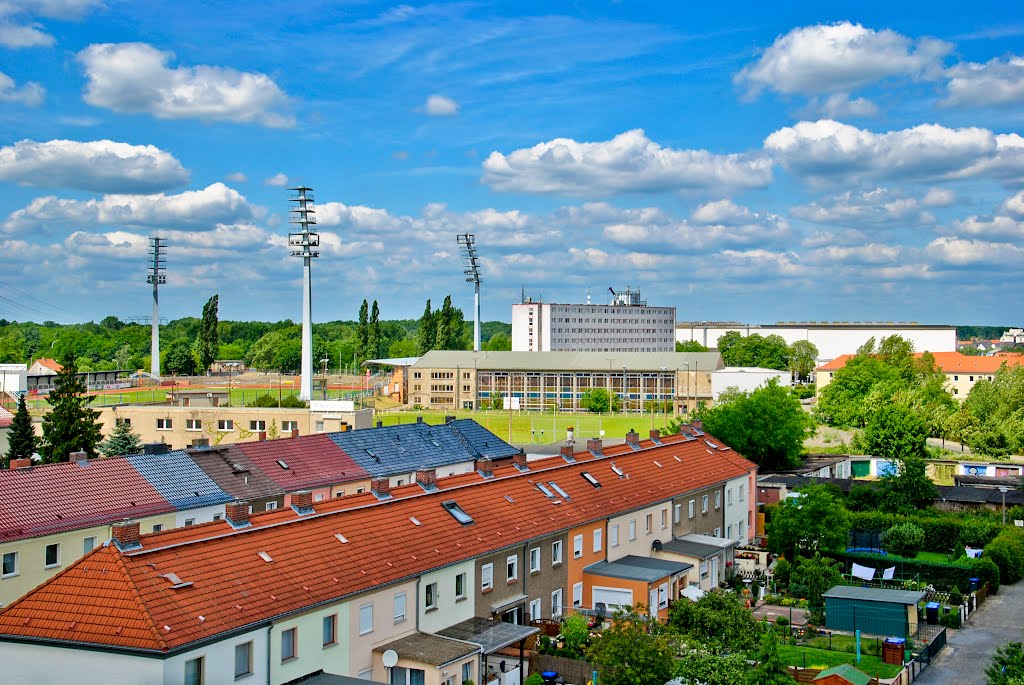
37	665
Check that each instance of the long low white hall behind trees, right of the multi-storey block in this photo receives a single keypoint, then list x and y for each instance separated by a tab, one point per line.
831	339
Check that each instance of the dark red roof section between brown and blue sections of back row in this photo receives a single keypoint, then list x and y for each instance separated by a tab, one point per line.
314	461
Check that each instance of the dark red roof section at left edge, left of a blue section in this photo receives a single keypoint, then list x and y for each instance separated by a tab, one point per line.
55	498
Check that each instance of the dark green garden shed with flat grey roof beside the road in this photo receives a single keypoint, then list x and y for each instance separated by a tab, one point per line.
873	611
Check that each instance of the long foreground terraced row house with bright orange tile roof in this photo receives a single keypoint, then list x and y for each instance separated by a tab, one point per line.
332	586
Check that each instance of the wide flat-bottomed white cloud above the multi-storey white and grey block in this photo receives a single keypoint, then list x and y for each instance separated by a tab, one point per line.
629	163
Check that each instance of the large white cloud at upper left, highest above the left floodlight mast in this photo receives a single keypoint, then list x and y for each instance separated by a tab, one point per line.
135	78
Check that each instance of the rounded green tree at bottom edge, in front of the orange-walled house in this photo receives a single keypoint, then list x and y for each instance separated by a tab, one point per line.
632	652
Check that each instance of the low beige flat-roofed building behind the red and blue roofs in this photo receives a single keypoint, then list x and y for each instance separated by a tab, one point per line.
181	427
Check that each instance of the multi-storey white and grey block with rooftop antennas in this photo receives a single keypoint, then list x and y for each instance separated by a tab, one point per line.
625	325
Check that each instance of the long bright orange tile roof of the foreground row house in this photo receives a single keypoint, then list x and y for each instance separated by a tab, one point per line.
125	601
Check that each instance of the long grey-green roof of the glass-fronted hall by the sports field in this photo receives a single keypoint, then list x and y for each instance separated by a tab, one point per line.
570	361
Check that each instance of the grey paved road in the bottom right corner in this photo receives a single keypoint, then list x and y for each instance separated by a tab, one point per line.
969	651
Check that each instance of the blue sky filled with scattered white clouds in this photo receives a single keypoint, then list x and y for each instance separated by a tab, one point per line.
758	162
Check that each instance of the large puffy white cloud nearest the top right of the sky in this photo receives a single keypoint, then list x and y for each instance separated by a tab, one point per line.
840	58
